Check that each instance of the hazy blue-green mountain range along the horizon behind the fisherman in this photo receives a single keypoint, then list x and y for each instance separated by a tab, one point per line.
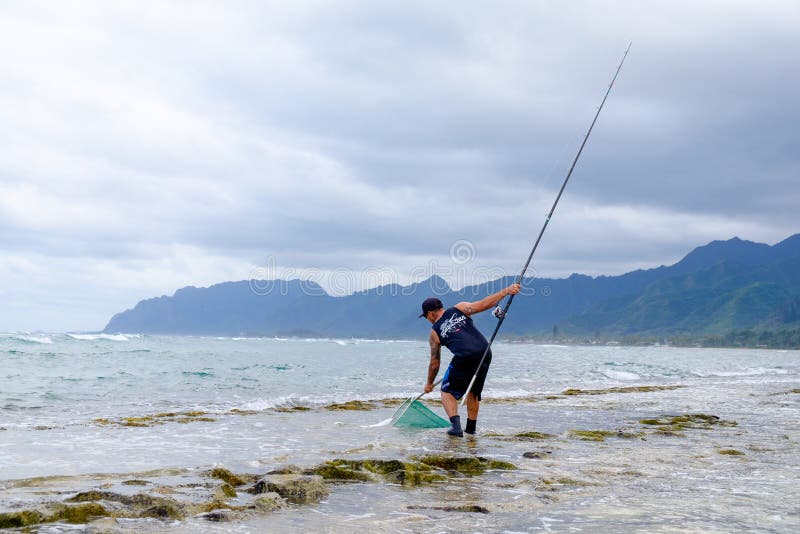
716	288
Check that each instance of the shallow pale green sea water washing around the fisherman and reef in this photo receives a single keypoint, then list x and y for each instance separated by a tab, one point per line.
78	412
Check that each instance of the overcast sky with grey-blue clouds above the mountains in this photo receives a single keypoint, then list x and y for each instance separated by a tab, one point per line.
150	146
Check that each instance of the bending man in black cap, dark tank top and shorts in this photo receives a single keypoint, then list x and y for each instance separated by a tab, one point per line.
453	328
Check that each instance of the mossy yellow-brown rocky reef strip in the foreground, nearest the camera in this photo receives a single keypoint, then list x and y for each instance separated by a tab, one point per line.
221	495
